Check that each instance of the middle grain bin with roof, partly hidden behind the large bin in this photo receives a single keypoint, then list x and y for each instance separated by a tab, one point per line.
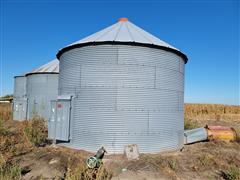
41	89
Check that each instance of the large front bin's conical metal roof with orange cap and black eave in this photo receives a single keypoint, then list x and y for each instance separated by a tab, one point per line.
123	32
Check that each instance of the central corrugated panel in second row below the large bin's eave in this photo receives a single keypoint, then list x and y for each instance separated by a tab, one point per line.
117	76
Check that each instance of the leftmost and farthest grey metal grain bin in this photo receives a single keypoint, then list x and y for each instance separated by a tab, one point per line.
19	98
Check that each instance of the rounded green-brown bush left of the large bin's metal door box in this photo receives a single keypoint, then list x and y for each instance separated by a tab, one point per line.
36	131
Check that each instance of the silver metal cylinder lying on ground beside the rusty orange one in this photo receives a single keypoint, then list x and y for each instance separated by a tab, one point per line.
195	135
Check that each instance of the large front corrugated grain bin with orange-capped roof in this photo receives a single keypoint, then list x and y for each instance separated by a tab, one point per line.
117	87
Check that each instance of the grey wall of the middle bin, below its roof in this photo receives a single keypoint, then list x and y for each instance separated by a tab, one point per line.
41	89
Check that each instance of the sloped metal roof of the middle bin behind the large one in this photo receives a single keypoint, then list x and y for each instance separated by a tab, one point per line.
50	67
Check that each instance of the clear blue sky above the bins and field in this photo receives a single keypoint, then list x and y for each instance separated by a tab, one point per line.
207	31
